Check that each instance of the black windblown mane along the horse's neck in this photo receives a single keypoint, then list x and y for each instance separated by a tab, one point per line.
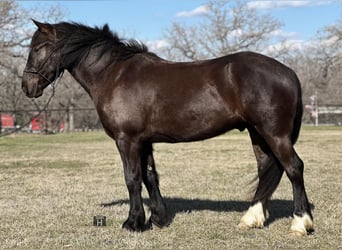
76	40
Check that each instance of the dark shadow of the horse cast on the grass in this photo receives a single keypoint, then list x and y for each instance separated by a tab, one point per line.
278	209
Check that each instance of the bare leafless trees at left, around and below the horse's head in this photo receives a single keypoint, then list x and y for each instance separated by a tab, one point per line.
16	30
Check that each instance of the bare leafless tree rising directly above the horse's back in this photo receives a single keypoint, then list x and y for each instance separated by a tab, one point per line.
225	29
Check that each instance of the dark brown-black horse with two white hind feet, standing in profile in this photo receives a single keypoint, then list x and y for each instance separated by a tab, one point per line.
142	99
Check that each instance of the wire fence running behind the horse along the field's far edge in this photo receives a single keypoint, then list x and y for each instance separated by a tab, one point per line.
86	119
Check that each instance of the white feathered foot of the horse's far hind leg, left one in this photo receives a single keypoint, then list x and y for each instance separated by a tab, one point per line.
254	217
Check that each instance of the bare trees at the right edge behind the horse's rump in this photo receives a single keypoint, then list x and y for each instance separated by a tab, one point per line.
319	69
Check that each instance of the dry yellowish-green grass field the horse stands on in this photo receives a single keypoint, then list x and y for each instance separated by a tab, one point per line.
51	186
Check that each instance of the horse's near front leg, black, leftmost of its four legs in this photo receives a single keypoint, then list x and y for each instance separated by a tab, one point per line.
130	153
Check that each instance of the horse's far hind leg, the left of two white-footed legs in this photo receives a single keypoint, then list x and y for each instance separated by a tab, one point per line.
269	175
